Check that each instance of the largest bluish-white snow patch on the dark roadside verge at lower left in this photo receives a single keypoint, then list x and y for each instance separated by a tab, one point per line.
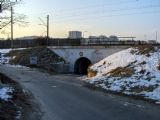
4	93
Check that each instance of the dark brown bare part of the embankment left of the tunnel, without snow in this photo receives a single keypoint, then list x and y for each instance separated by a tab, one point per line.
45	57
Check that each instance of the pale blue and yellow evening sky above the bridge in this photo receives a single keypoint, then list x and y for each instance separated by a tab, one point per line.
137	18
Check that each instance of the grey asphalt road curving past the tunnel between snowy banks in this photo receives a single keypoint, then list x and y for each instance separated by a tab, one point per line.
63	97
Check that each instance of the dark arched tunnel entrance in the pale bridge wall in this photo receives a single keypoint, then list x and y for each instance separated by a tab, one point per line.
81	65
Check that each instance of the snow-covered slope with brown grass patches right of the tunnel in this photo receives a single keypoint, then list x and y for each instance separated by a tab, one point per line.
135	71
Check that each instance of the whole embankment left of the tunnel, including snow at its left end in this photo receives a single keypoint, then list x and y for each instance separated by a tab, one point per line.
45	58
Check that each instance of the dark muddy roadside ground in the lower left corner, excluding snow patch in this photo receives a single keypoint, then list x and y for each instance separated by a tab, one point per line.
22	106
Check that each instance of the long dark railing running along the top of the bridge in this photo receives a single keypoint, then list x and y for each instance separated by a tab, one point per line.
67	42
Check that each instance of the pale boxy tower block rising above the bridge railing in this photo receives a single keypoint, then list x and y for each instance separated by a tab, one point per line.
75	34
